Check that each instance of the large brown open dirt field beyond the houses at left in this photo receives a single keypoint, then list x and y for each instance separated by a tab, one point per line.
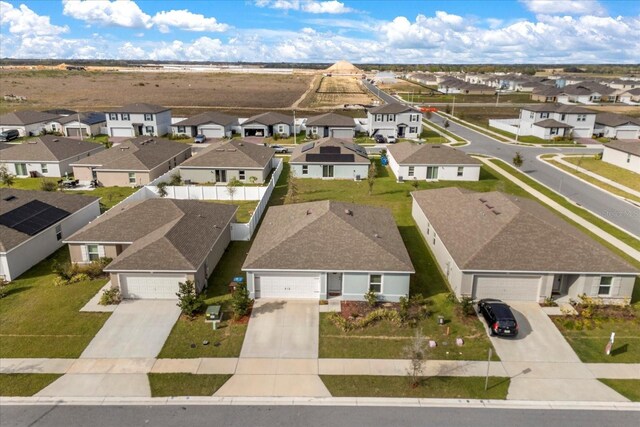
95	90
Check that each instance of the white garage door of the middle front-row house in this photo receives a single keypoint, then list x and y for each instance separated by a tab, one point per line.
289	286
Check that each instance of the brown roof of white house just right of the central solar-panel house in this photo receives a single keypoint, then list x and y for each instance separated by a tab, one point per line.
406	153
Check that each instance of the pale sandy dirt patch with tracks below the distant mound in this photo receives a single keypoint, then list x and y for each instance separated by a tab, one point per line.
336	91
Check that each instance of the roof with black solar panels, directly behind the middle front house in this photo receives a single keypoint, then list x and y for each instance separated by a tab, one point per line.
334	150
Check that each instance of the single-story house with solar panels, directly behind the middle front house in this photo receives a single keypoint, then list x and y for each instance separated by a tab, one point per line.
330	158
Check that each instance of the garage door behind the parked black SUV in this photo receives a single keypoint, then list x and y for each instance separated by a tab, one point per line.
508	288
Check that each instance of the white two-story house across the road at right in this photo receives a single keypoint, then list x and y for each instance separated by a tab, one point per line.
548	121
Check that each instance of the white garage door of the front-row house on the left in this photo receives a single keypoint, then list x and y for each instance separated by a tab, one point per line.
150	286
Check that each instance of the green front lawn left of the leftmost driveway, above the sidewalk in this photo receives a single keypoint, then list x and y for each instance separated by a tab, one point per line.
38	319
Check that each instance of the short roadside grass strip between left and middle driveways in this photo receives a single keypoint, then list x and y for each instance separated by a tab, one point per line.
165	385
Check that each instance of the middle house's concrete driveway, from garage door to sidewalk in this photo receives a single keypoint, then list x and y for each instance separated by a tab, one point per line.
282	329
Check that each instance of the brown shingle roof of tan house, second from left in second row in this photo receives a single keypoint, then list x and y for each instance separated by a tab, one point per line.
140	154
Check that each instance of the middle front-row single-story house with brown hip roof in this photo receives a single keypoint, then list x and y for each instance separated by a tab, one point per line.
293	255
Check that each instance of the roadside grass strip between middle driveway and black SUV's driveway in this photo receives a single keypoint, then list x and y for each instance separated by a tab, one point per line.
431	387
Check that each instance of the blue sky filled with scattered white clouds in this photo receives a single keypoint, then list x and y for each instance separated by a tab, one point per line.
518	31
